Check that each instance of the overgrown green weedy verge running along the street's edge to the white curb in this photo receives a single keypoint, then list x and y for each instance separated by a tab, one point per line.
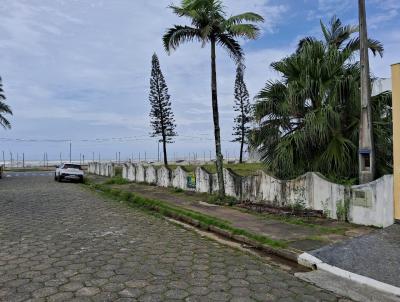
197	219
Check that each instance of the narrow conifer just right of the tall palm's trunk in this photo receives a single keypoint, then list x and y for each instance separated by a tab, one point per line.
242	106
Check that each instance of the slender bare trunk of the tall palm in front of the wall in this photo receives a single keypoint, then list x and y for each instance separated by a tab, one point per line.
217	134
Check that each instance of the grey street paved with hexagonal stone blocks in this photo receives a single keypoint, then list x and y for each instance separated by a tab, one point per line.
61	242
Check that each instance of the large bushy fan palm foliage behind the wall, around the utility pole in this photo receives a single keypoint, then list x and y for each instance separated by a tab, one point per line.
309	120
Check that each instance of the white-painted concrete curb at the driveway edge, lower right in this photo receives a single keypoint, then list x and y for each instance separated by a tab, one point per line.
310	261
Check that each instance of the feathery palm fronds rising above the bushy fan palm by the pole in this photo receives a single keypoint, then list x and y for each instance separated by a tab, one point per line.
339	36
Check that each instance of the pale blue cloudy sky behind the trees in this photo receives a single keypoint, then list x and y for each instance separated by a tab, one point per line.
79	71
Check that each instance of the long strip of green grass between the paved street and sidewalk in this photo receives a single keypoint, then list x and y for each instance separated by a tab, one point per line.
165	209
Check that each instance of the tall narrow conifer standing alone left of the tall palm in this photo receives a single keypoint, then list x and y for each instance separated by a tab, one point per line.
161	116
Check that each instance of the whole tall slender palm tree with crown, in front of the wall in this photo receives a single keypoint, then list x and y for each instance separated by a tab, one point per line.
210	25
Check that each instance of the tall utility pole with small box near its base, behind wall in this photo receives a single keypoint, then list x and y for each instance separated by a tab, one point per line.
366	156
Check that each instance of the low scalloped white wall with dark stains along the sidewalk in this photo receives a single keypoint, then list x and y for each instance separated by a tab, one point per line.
368	204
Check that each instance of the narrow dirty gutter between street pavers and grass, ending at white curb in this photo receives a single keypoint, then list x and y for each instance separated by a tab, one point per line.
273	260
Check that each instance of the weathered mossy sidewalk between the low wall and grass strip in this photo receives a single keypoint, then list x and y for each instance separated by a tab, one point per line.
298	234
